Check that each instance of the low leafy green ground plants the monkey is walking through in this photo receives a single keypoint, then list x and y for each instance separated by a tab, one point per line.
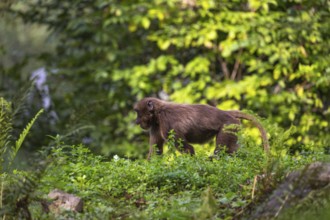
174	186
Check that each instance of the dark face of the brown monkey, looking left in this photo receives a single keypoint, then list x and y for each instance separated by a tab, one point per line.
145	113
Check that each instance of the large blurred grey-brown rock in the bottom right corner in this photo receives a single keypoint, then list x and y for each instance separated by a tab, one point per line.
297	186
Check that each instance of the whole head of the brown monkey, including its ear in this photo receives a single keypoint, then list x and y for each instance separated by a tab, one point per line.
145	110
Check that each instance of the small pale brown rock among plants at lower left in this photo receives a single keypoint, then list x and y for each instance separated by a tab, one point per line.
64	201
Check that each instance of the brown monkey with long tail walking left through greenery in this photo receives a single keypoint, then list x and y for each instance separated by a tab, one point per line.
192	124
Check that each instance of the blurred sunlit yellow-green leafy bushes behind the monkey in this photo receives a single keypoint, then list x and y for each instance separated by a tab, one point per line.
270	57
